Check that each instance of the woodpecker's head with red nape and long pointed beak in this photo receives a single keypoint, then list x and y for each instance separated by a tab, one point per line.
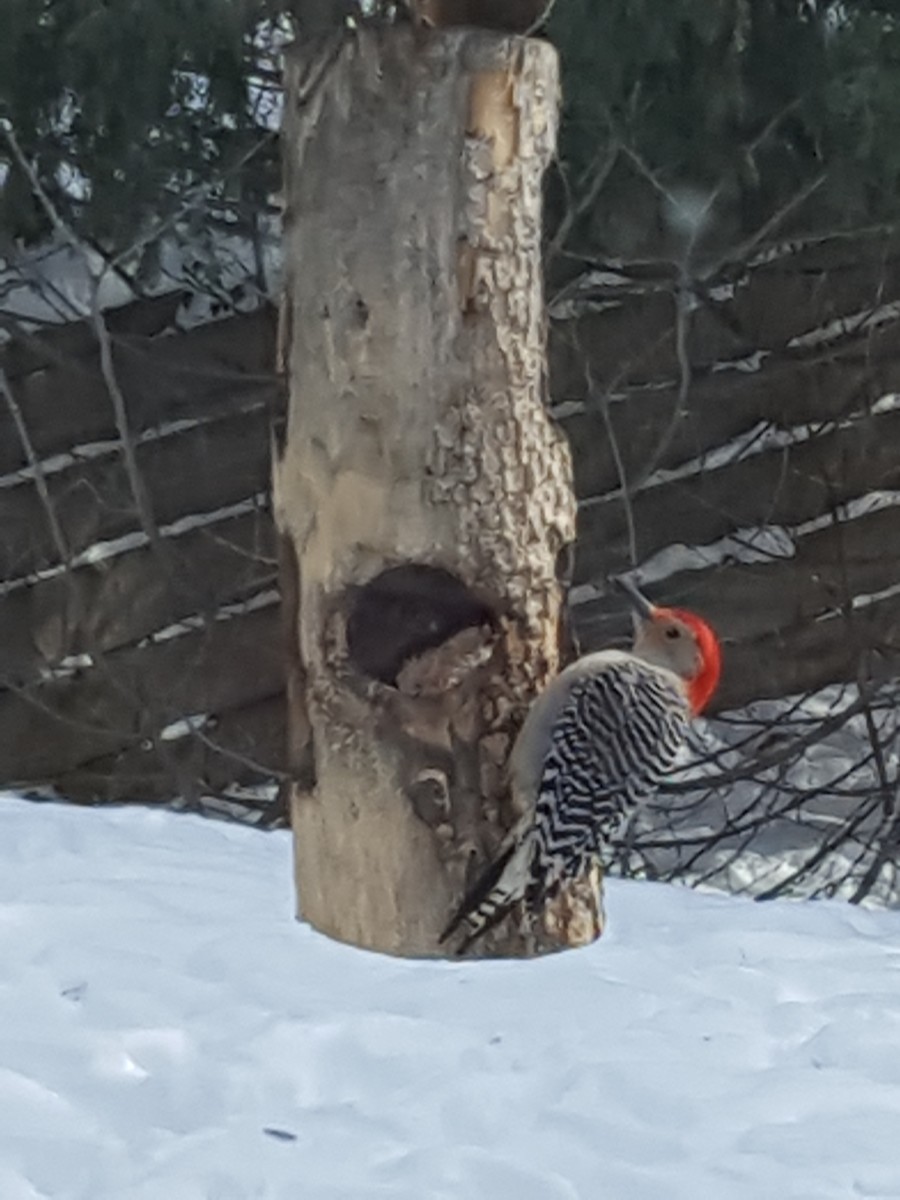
679	640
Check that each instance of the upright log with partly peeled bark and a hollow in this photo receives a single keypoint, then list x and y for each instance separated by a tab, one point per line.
423	496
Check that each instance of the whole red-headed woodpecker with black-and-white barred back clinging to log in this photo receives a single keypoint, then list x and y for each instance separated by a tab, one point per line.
595	746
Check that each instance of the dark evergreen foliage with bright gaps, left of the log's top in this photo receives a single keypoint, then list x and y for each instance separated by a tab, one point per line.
128	109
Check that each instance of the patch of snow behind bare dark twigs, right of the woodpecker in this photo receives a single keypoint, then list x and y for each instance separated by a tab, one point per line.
766	788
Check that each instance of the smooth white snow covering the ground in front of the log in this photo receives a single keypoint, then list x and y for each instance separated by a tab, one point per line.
169	1033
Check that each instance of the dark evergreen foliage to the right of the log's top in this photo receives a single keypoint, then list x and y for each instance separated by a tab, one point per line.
730	118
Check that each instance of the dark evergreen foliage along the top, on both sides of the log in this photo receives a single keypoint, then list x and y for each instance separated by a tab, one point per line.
731	119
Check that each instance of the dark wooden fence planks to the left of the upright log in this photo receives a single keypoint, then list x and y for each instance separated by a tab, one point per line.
101	611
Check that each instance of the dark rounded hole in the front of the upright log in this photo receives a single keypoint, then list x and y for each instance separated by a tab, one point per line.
406	611
